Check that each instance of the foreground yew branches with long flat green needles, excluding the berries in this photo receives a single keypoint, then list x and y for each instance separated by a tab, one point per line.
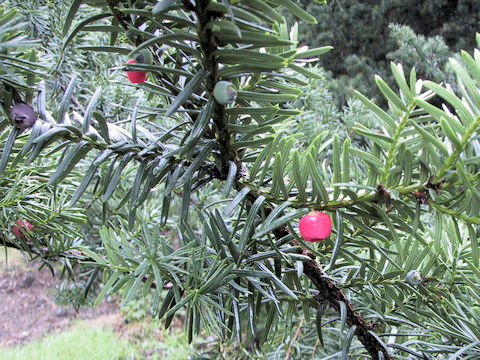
199	202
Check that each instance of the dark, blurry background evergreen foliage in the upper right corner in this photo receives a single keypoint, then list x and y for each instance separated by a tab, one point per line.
361	34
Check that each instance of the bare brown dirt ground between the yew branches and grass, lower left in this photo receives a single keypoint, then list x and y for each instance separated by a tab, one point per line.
27	307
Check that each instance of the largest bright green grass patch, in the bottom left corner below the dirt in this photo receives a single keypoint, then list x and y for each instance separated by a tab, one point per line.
77	343
